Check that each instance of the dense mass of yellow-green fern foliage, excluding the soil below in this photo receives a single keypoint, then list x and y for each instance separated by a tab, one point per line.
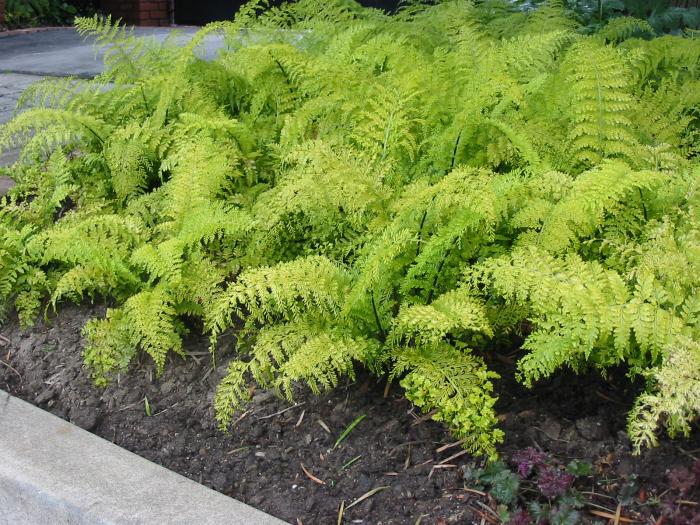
351	189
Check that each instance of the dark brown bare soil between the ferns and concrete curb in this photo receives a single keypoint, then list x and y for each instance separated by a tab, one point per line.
260	461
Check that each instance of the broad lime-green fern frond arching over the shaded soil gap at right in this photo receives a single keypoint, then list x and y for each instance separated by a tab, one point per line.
608	313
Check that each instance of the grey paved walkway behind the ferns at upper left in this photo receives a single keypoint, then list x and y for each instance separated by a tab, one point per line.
60	52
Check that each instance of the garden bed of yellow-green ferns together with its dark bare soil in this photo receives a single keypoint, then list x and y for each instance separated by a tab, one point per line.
437	198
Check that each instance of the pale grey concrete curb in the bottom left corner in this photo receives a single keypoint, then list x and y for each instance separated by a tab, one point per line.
54	472
